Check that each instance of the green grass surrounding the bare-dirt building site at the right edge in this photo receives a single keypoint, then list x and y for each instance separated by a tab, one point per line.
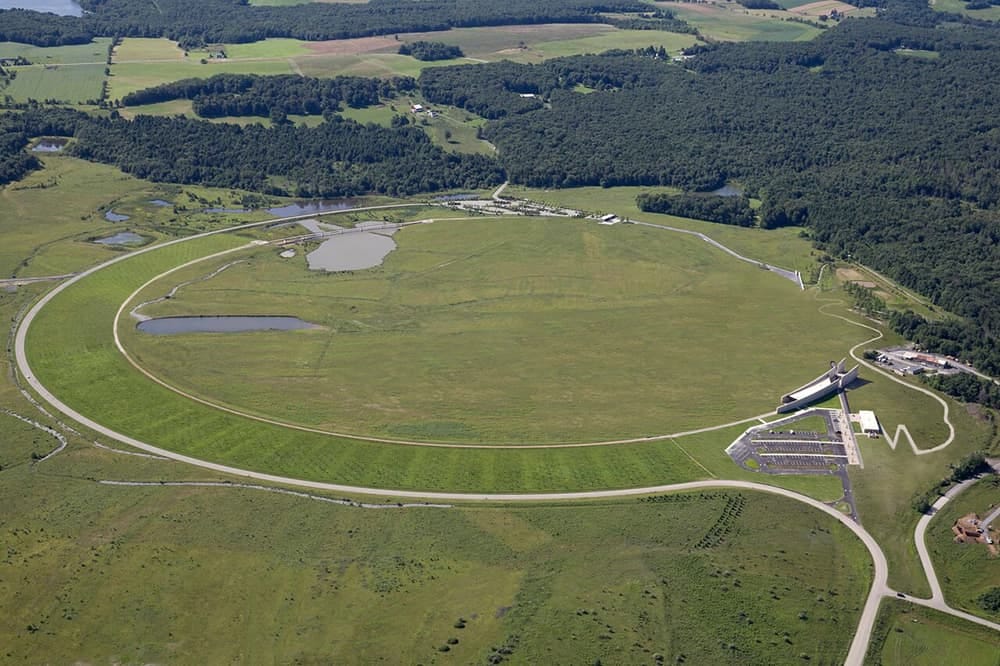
965	570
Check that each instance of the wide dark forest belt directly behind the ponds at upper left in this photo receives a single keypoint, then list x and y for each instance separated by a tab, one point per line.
337	158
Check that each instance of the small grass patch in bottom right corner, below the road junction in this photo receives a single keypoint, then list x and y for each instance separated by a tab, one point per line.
908	635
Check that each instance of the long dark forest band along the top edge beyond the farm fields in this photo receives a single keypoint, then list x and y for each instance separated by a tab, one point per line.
197	22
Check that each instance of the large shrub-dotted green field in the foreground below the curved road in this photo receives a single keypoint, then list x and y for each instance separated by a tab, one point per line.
292	580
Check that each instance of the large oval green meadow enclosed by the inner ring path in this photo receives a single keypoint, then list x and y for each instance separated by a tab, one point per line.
405	362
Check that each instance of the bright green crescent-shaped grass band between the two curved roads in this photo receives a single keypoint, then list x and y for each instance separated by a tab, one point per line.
71	350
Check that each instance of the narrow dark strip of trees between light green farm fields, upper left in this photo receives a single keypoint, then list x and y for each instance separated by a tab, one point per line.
253	95
